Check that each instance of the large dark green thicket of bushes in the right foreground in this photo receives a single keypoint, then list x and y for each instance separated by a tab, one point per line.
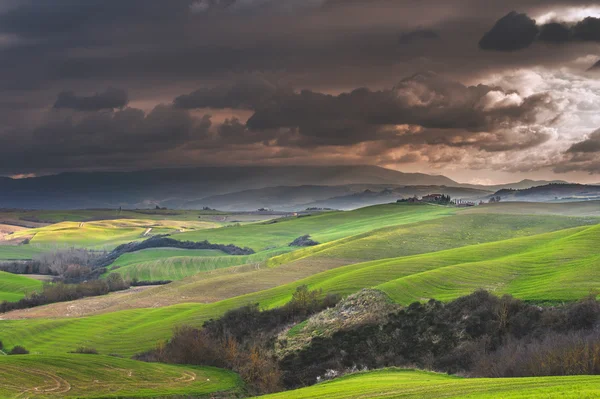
474	330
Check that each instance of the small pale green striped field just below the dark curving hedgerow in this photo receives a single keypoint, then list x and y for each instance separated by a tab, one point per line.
176	264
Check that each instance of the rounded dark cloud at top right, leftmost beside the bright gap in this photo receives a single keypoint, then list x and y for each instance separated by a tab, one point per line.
512	32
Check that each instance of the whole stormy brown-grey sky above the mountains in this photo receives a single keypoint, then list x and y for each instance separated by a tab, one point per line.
480	91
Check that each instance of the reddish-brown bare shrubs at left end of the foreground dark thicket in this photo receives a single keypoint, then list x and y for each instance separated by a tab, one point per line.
241	340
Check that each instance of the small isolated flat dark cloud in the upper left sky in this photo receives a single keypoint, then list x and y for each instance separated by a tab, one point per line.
110	99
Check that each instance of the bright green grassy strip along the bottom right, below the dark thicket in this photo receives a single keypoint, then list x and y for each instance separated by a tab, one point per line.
393	383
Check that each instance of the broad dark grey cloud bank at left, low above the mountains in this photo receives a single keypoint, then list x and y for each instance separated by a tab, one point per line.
98	139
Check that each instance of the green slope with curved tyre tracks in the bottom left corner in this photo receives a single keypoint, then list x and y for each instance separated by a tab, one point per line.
93	376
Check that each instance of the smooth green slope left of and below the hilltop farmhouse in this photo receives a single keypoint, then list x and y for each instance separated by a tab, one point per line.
322	227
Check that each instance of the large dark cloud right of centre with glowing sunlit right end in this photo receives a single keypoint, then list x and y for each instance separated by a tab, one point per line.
426	100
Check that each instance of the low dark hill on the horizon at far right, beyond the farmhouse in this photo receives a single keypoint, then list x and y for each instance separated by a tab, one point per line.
552	192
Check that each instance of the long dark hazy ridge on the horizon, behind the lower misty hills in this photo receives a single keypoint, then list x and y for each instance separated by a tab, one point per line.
177	187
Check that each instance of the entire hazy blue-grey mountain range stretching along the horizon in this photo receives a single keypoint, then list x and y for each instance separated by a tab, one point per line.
235	188
